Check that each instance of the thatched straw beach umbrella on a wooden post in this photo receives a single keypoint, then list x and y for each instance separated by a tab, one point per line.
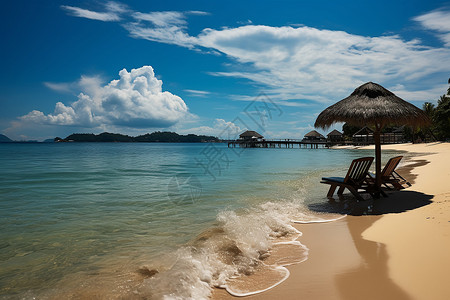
372	105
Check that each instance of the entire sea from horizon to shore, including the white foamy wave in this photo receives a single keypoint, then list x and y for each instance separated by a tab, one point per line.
156	220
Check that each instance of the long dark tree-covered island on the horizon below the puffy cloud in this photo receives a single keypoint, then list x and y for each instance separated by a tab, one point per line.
155	137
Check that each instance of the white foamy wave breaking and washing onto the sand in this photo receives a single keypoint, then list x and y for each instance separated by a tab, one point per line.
246	254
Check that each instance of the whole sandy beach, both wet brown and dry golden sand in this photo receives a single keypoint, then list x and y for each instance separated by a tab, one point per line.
400	253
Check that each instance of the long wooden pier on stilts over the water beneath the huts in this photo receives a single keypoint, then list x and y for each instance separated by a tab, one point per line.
286	143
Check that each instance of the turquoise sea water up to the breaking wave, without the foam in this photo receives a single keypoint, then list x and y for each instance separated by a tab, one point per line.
75	214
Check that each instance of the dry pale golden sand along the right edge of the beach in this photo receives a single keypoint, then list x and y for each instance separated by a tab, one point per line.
418	241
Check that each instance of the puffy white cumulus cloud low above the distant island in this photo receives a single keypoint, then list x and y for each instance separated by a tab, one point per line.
134	100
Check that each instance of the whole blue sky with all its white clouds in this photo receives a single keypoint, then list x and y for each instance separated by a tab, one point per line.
209	67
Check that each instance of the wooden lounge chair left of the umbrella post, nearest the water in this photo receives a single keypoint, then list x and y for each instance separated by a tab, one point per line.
353	181
